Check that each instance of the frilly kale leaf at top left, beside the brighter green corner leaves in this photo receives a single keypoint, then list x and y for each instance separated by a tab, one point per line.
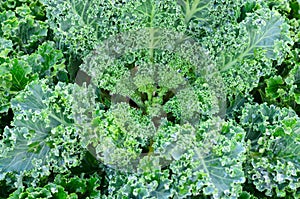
80	22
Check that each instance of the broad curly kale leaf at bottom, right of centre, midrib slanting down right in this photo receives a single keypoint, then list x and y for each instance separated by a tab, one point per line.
212	163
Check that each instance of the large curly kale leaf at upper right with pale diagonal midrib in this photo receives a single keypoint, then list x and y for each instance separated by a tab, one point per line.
247	47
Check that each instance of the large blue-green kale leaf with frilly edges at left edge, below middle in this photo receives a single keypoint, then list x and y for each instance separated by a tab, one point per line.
38	116
